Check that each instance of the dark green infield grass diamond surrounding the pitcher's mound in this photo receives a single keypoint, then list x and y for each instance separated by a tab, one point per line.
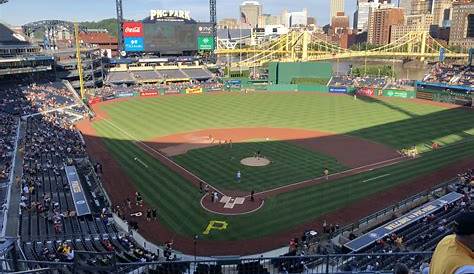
289	164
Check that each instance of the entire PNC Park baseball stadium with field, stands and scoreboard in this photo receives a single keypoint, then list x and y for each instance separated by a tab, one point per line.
172	151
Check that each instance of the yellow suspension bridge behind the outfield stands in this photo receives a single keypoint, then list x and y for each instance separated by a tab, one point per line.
303	46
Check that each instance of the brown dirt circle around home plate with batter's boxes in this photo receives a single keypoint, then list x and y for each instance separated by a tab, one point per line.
229	205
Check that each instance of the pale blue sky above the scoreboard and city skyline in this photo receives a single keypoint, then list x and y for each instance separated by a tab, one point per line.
19	12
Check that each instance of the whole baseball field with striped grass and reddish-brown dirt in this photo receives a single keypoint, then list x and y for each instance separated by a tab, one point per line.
169	148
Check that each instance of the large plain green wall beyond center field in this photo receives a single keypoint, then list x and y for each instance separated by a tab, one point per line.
284	73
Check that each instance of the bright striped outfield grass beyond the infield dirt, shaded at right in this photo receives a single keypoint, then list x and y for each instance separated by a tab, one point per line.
395	122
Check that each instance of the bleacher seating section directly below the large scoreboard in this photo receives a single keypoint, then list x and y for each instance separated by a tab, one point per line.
178	74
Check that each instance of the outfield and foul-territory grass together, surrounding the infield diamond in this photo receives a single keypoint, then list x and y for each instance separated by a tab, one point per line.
397	123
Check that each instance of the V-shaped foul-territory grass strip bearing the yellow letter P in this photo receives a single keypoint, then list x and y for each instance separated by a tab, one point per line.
178	201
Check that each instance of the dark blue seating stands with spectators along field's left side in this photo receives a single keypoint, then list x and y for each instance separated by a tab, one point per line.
49	227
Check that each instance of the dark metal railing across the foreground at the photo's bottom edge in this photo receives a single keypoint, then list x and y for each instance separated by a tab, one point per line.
322	264
